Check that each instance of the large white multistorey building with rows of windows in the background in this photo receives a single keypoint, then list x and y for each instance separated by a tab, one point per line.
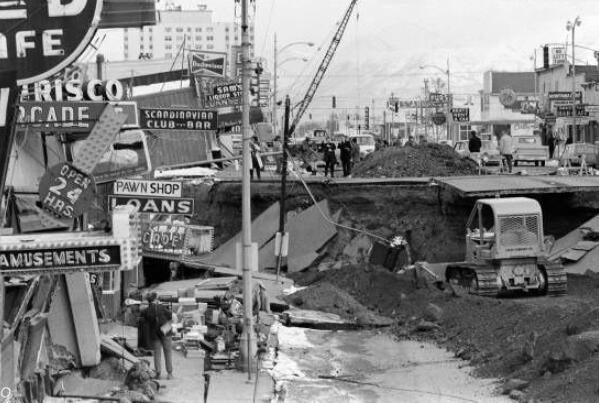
176	29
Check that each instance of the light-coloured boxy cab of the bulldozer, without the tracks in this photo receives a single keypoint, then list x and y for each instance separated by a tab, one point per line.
504	229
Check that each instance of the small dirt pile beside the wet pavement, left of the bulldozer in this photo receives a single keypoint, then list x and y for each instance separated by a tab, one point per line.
326	297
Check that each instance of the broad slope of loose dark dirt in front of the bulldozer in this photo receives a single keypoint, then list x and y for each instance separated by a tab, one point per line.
547	341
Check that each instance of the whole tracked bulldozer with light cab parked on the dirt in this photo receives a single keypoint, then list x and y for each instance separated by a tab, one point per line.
505	251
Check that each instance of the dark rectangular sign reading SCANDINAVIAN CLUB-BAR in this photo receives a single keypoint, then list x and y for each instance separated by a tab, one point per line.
178	119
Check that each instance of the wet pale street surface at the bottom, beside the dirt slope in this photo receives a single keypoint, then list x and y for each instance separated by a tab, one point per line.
368	366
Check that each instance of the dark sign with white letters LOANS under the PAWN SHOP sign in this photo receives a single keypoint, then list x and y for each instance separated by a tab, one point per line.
159	205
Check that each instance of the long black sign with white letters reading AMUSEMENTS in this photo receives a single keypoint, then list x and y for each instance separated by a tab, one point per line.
14	260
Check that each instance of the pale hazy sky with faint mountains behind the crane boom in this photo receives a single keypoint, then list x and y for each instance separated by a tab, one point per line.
382	49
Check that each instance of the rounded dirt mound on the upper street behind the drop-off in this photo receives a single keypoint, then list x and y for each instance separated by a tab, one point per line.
423	160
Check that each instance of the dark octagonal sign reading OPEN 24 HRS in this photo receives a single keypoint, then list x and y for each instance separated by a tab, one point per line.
65	191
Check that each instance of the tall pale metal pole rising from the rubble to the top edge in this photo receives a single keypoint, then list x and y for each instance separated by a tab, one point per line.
248	346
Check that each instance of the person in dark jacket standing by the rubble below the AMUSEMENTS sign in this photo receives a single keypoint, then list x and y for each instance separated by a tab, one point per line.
158	318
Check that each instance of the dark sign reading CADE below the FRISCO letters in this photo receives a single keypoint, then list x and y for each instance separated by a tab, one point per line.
73	116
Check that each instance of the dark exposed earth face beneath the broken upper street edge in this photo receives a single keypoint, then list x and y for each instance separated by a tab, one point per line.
432	218
